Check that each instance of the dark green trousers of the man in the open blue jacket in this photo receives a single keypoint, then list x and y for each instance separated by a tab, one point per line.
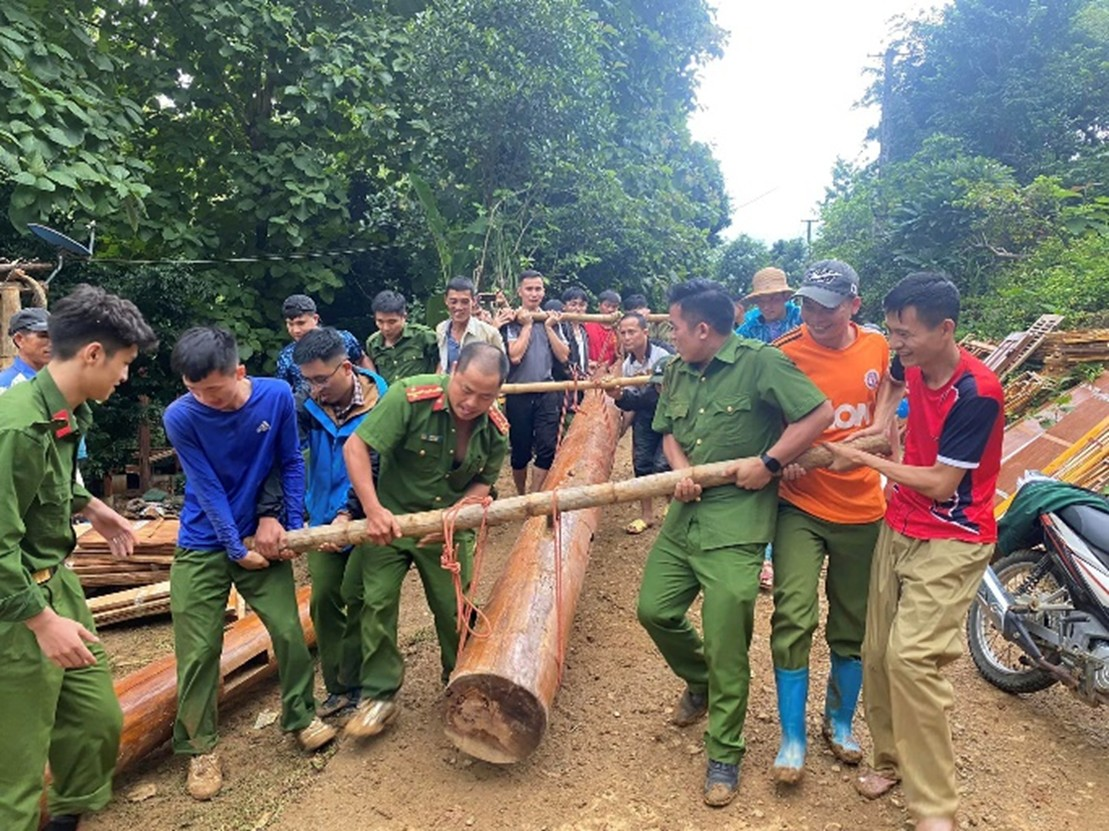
337	617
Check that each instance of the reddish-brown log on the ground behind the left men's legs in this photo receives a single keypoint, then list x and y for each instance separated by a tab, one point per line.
149	697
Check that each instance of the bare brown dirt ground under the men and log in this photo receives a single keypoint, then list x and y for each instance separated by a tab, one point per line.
611	761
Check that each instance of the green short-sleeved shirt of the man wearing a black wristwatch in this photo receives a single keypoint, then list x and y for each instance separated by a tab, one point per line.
735	407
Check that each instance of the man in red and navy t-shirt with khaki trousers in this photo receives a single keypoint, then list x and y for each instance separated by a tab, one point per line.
932	552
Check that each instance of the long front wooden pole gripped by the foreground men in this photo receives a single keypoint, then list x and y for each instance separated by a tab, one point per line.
516	509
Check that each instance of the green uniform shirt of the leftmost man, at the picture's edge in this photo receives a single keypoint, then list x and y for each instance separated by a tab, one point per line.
39	438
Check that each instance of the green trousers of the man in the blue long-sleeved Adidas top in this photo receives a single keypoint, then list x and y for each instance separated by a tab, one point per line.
200	583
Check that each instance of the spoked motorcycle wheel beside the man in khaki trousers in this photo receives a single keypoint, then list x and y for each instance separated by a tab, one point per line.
1000	662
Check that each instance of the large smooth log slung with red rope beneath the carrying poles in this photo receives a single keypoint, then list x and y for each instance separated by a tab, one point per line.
500	697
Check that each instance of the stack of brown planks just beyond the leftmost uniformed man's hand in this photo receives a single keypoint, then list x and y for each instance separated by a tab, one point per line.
95	565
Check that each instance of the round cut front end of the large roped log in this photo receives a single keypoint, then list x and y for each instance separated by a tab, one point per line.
493	719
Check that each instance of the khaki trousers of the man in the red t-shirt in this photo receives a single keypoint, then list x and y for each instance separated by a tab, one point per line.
921	591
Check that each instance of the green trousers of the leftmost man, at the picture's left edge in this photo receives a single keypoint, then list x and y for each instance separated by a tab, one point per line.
68	717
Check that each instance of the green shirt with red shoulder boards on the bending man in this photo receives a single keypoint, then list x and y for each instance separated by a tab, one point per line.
414	432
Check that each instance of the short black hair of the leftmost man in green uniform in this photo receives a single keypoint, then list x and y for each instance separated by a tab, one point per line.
89	315
